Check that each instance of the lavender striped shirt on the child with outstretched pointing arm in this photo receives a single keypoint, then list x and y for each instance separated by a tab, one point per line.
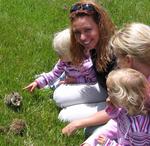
83	74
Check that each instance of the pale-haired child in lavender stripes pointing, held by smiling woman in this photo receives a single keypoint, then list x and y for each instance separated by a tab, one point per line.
76	74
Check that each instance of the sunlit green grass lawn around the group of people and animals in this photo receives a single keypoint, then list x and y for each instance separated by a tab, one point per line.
26	32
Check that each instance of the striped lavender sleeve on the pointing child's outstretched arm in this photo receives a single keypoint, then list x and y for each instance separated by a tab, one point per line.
50	77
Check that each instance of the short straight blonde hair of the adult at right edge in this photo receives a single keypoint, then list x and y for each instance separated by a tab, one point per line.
134	40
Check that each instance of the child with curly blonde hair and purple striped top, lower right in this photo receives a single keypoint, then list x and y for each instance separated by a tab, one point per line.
129	104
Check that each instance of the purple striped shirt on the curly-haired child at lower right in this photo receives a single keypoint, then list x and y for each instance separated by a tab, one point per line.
132	130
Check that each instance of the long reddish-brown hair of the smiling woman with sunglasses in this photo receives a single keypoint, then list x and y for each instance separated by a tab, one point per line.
106	30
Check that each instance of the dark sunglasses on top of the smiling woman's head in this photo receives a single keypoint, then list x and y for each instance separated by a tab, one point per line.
87	7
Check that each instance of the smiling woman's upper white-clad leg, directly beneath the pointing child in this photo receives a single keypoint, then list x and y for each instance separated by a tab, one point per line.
73	94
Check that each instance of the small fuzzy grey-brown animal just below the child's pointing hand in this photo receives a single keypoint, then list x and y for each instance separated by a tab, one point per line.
13	100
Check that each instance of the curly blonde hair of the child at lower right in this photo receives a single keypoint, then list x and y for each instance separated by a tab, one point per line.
128	88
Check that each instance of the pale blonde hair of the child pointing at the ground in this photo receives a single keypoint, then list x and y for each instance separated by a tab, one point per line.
61	42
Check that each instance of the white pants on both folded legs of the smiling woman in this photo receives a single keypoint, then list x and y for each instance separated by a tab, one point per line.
79	100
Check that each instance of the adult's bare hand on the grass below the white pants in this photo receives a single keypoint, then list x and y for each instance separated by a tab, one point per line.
71	128
